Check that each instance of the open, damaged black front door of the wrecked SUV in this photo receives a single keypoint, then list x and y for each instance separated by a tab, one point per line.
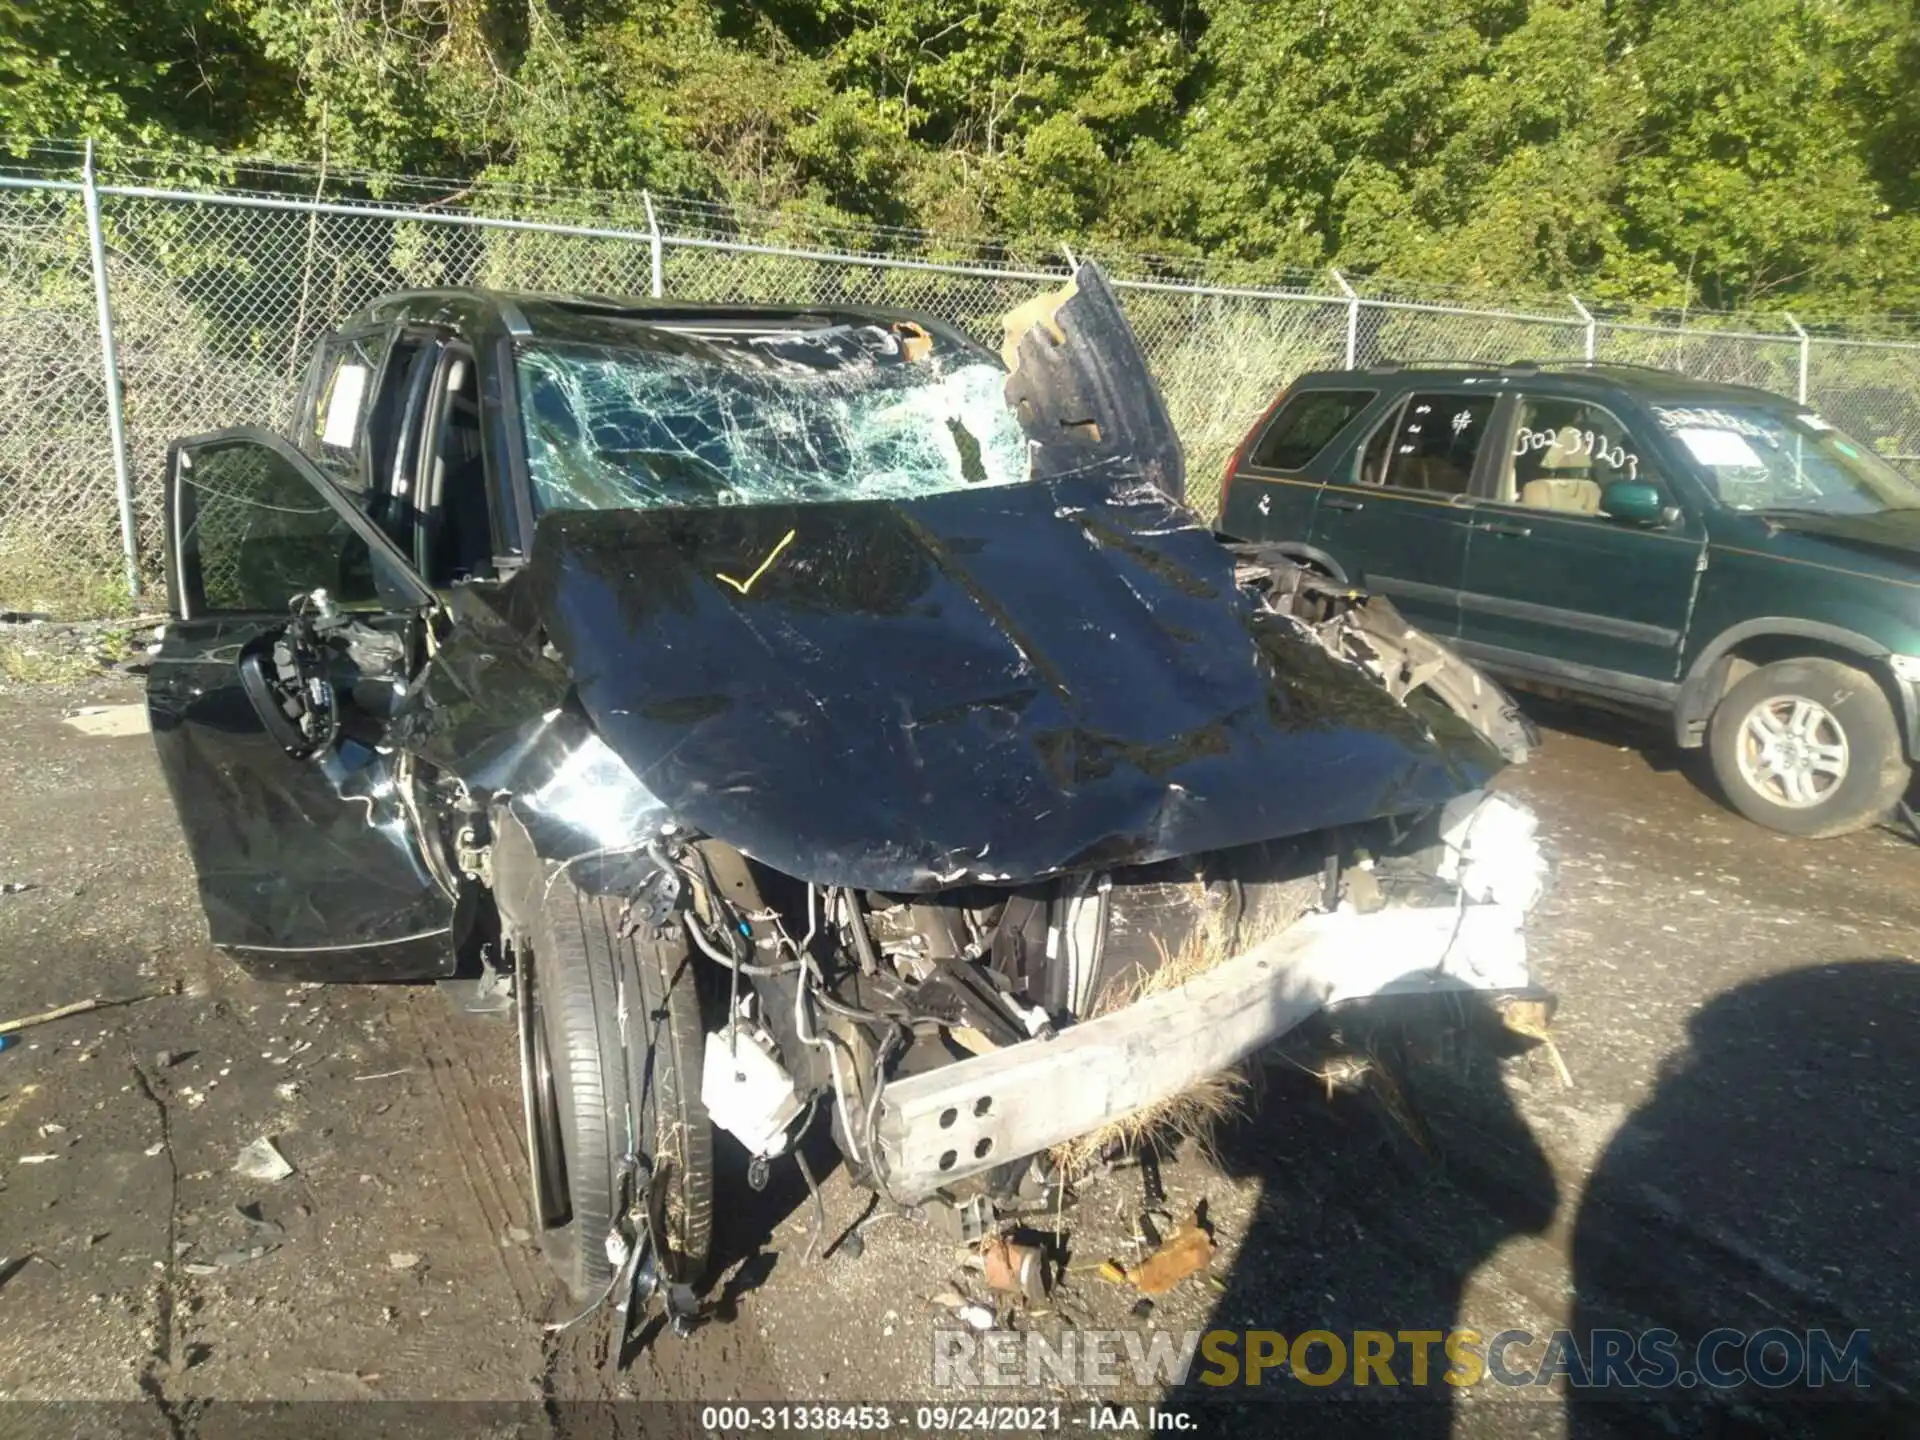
293	636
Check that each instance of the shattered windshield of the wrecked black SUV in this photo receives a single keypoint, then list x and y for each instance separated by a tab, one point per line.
805	416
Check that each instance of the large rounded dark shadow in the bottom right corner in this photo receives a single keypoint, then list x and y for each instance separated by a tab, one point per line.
1767	1186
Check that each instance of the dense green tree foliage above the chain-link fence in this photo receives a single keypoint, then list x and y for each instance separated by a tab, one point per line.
1706	153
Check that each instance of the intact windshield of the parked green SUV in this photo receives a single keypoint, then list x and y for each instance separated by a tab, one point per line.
1764	458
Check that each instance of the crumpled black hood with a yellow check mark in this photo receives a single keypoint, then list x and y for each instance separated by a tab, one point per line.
980	686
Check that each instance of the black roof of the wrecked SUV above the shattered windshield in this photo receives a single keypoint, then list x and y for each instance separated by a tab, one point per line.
594	318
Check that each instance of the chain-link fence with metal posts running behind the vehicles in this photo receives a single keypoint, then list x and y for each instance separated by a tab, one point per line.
216	299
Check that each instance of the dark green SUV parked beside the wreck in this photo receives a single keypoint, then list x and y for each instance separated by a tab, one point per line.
1712	554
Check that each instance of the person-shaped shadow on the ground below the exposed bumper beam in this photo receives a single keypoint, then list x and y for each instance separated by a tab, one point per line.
1378	1205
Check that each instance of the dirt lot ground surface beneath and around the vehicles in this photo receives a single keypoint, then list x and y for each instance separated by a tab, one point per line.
1740	1022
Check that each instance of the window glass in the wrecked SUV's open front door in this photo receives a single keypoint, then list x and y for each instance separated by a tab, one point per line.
256	533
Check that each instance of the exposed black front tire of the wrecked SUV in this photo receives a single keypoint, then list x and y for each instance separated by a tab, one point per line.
579	971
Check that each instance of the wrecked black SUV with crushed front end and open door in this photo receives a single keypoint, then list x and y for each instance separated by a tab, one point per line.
802	715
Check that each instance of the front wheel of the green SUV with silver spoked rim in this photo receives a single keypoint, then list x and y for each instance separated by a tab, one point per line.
1810	748
